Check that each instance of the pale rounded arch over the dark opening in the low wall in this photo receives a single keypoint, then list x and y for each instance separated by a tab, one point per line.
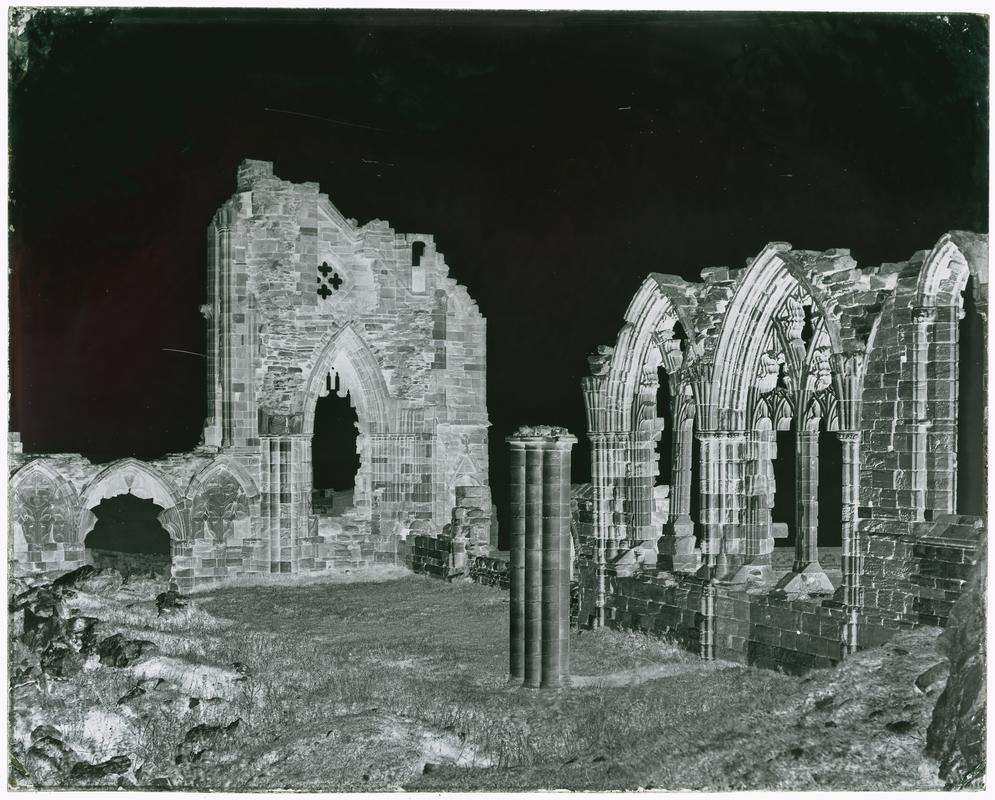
131	476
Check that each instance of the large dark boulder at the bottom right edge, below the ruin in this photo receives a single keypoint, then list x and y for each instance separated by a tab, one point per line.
956	734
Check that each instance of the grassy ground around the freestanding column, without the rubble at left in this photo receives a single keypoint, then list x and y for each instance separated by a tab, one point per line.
358	686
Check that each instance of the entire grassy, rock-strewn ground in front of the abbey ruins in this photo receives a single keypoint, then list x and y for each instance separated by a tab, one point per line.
400	683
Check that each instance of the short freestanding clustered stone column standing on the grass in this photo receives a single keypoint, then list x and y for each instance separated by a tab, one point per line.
545	561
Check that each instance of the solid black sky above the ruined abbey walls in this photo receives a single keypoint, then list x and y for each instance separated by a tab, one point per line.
557	158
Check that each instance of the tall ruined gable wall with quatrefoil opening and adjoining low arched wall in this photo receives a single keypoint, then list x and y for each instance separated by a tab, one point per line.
301	301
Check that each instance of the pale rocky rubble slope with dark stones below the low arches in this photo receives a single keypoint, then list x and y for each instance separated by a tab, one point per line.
64	660
